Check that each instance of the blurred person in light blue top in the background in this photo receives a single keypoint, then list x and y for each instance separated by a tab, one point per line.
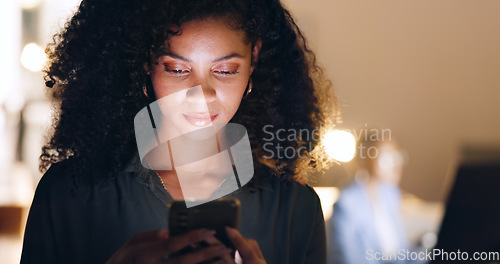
366	222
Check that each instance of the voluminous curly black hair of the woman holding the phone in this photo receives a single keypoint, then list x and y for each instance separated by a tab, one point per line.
96	74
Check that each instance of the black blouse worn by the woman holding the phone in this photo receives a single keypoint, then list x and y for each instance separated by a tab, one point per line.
284	217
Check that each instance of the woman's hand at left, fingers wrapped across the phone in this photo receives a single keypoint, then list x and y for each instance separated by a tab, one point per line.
151	247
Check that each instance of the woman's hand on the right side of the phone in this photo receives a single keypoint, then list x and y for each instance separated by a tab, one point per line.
248	248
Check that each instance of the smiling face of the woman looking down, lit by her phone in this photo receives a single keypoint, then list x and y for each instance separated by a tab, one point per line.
202	74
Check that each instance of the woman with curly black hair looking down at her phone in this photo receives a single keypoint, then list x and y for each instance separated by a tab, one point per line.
247	61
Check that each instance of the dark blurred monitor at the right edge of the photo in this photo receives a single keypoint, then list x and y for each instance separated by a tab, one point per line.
472	219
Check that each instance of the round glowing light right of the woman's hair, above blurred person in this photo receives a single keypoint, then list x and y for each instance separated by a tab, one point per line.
340	145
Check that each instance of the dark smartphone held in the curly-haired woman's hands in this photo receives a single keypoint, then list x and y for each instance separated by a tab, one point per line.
215	215
